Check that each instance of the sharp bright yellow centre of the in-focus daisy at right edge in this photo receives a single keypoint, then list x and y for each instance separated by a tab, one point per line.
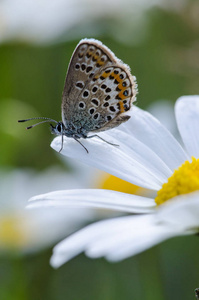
183	181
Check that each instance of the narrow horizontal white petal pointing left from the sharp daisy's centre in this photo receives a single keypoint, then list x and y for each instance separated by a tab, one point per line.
95	198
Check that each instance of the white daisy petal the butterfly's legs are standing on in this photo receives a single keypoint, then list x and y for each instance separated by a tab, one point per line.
131	160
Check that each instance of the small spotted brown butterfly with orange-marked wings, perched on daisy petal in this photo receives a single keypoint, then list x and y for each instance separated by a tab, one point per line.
98	90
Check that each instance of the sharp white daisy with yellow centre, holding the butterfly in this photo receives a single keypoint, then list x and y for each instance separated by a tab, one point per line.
148	156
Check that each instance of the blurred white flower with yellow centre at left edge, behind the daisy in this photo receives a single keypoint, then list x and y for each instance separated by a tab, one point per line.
23	230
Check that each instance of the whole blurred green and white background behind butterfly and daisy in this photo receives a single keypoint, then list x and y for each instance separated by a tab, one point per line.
159	40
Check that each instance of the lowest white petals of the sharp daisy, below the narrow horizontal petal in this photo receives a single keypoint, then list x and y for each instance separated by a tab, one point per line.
115	239
